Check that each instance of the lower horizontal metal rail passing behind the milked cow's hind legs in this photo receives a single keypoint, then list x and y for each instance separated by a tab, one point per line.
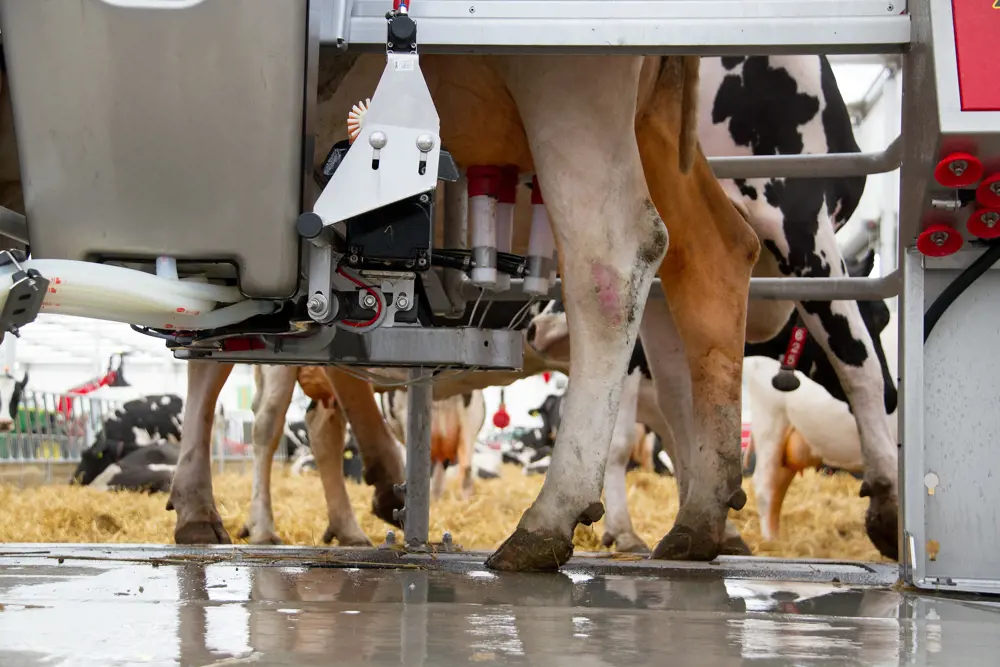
777	289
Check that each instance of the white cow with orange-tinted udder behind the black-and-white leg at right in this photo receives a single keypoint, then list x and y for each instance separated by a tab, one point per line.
805	428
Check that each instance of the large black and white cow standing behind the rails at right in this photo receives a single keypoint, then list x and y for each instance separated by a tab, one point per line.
789	105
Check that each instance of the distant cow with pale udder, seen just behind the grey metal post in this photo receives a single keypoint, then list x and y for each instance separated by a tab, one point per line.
455	426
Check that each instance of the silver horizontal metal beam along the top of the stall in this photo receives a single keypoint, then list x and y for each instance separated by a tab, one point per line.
717	27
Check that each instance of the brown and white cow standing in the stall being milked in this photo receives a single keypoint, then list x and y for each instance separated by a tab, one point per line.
563	118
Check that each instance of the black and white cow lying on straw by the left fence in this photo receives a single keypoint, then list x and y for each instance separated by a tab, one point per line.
135	448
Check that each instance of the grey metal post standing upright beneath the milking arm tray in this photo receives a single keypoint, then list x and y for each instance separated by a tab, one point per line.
416	521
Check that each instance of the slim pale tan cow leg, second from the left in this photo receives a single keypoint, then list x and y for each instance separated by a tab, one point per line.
274	392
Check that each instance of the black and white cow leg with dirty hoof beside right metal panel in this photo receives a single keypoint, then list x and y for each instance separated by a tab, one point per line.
804	244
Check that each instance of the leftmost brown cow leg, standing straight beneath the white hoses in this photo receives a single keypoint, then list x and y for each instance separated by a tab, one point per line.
198	521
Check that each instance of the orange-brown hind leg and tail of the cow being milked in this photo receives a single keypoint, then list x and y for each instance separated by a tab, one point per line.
706	277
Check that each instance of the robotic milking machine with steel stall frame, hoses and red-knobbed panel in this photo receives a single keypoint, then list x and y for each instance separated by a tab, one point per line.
176	194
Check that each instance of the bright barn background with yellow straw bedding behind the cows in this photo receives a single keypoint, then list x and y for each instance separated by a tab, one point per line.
822	516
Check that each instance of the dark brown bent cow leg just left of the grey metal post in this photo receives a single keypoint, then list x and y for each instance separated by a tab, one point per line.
379	450
